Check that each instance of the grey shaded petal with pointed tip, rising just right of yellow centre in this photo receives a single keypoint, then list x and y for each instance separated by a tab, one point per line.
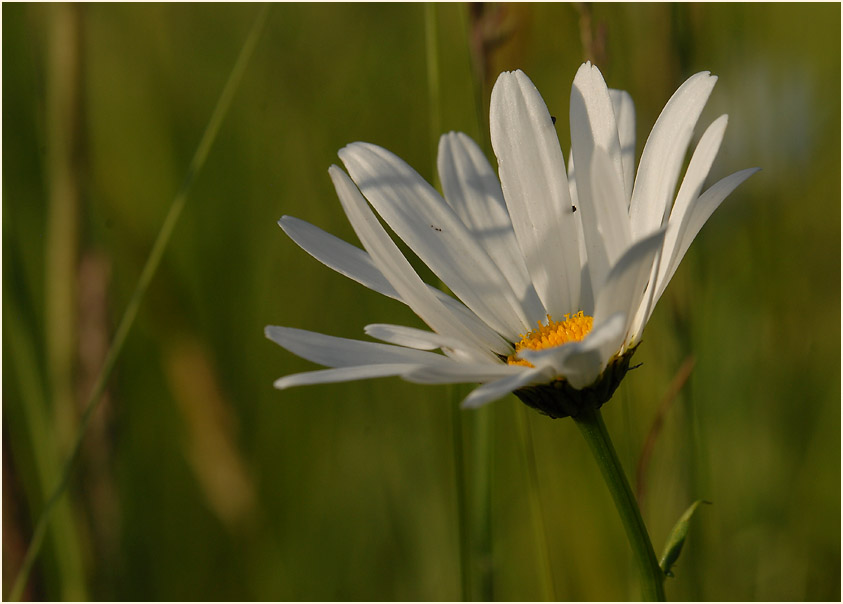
626	285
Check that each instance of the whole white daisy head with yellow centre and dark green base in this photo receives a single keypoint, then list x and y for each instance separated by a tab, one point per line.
554	272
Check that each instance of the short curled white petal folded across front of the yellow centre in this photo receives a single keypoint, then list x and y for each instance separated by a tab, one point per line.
582	362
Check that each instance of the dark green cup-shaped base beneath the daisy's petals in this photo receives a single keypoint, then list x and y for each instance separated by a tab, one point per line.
559	399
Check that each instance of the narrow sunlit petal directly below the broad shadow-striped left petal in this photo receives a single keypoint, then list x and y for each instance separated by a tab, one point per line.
389	260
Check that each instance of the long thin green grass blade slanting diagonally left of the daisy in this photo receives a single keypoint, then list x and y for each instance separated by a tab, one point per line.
148	272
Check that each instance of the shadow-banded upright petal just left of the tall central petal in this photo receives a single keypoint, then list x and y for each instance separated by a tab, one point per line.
472	189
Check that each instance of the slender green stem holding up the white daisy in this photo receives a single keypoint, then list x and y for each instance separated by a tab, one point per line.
591	425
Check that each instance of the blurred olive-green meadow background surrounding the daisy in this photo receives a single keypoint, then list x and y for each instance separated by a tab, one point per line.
197	480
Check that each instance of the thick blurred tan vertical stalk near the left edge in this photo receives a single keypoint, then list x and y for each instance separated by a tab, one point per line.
51	427
